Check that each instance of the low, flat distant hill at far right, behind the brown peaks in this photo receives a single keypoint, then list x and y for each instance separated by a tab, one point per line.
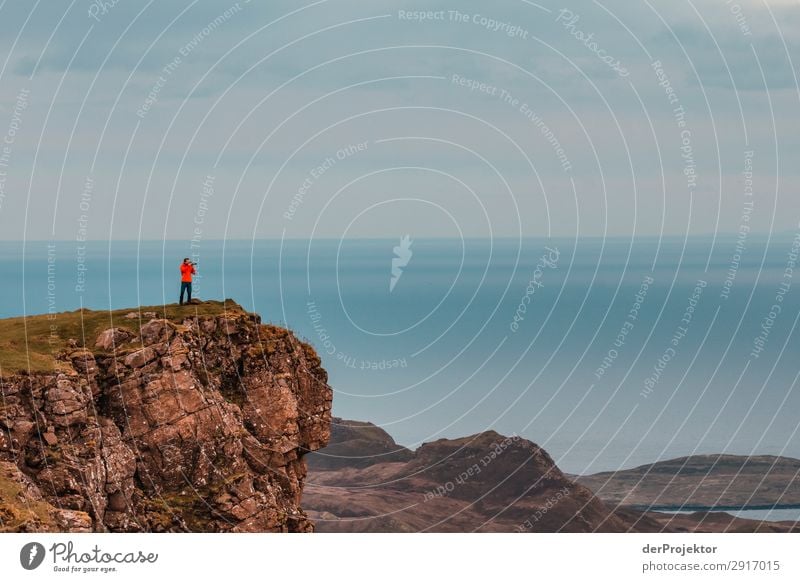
703	481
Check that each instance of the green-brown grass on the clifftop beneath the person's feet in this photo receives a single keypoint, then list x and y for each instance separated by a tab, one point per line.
48	334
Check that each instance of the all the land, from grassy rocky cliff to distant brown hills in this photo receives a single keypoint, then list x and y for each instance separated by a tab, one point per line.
201	418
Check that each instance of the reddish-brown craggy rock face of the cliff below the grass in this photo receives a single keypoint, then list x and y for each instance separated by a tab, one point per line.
194	424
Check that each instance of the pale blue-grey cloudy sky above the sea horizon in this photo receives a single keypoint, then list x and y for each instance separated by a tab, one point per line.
184	119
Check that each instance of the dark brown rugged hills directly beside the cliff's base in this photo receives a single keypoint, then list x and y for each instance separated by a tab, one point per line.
364	482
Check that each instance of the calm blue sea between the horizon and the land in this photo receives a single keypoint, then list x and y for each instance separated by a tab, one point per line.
441	354
